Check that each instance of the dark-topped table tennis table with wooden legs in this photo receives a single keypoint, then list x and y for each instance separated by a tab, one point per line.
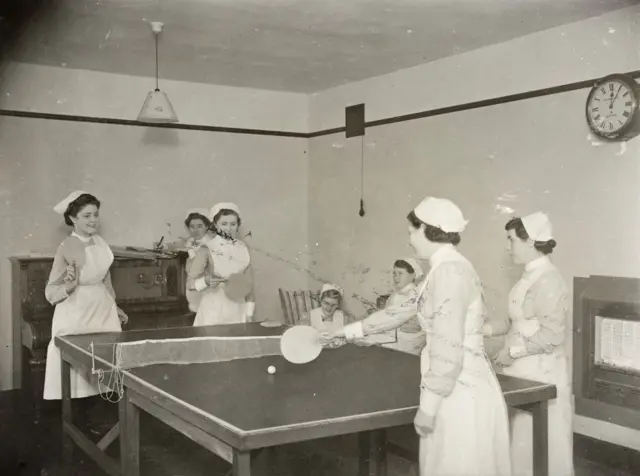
237	408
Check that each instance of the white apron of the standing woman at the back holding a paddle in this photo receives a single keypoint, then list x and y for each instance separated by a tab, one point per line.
215	307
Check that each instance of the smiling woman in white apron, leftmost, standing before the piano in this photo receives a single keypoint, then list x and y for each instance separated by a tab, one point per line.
80	288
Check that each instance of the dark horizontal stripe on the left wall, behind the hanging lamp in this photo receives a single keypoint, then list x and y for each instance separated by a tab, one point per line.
125	122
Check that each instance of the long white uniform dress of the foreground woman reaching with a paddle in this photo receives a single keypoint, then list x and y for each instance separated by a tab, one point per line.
459	387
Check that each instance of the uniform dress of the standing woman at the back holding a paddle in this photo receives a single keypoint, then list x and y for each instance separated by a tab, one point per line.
224	258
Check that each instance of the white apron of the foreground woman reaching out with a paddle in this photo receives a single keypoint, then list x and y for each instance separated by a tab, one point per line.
471	433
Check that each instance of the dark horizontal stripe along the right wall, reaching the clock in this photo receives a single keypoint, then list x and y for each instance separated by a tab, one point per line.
475	105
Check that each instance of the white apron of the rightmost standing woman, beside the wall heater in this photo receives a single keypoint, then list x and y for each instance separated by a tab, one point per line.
548	368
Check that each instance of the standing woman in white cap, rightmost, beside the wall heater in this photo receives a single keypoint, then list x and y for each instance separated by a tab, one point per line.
535	343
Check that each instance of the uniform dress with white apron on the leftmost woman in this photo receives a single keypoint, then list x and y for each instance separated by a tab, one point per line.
90	308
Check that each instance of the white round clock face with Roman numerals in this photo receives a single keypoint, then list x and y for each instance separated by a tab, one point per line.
611	106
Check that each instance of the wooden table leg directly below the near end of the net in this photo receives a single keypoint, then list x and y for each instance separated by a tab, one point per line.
129	436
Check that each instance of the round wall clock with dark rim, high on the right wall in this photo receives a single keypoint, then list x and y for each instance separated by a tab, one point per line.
612	107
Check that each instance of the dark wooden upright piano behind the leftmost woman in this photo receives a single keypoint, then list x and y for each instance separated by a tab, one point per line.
150	288
